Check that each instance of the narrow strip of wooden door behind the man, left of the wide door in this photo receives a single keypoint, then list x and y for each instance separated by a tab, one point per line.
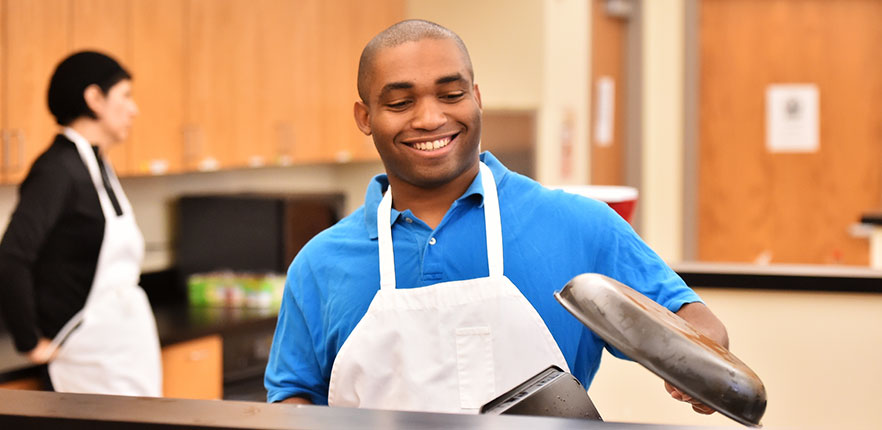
608	43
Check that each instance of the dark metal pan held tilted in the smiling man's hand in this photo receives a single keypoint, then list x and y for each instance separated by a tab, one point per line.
667	345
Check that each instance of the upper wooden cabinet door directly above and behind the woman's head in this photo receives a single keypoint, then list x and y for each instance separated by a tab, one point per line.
103	26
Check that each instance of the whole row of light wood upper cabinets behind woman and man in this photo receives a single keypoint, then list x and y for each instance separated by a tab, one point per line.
219	83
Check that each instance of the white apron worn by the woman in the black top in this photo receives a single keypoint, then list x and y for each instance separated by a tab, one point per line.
111	346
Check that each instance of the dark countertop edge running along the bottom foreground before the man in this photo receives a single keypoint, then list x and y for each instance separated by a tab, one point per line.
36	409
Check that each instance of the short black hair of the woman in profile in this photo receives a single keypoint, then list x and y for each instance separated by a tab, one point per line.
71	78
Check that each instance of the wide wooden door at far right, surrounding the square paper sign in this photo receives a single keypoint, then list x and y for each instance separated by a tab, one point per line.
788	207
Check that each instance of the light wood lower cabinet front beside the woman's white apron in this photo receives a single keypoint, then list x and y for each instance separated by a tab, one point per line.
193	369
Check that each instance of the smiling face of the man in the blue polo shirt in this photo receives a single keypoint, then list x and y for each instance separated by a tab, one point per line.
424	113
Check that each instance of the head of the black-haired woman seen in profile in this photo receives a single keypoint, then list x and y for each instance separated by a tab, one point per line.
94	86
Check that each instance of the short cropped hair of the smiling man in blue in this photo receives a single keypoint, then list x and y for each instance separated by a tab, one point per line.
410	30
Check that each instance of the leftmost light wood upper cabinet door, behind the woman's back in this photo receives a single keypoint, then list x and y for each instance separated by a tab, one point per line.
35	39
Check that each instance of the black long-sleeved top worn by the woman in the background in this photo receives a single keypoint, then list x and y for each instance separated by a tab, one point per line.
49	252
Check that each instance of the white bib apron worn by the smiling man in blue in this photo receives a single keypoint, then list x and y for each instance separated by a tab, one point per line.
448	347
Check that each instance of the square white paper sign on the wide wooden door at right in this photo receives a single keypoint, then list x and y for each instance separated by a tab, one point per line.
792	118
